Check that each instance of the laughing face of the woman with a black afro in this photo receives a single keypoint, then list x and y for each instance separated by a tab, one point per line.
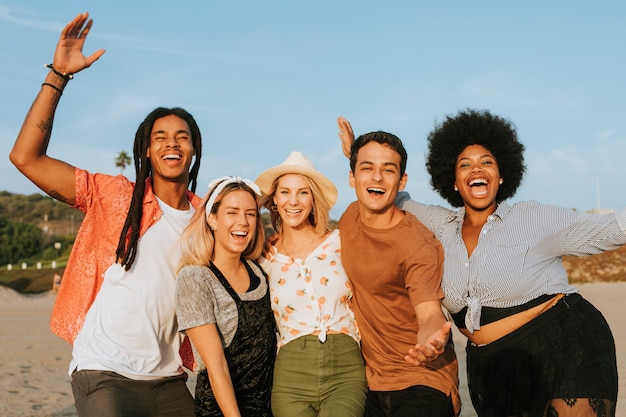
477	178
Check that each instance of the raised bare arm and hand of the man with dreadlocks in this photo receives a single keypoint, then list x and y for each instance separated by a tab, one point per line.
52	176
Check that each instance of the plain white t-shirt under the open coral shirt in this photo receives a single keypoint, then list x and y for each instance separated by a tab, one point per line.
131	327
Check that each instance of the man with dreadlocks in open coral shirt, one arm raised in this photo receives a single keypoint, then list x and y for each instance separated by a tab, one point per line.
116	304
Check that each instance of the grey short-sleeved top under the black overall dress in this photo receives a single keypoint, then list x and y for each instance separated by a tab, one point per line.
202	299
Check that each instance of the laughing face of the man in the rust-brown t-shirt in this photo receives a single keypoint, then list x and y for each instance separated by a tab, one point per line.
376	177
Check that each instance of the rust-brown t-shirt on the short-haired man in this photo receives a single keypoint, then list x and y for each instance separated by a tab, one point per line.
391	271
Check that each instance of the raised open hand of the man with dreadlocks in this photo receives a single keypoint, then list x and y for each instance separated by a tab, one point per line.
68	56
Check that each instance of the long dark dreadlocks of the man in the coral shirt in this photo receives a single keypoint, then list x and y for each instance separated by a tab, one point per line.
127	245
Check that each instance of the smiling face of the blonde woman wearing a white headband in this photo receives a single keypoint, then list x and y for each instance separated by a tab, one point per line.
234	223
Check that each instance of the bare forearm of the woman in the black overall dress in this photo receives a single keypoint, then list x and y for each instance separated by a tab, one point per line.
207	341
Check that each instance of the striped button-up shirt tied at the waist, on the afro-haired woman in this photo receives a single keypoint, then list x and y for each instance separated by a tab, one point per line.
518	256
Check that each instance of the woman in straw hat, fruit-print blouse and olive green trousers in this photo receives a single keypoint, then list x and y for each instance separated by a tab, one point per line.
319	368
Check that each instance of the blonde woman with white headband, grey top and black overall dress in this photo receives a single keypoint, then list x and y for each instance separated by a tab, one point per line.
223	302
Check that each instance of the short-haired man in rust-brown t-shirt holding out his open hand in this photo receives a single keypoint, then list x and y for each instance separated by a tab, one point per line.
395	266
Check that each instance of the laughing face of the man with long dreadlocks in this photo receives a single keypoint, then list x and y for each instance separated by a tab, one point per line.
171	150
